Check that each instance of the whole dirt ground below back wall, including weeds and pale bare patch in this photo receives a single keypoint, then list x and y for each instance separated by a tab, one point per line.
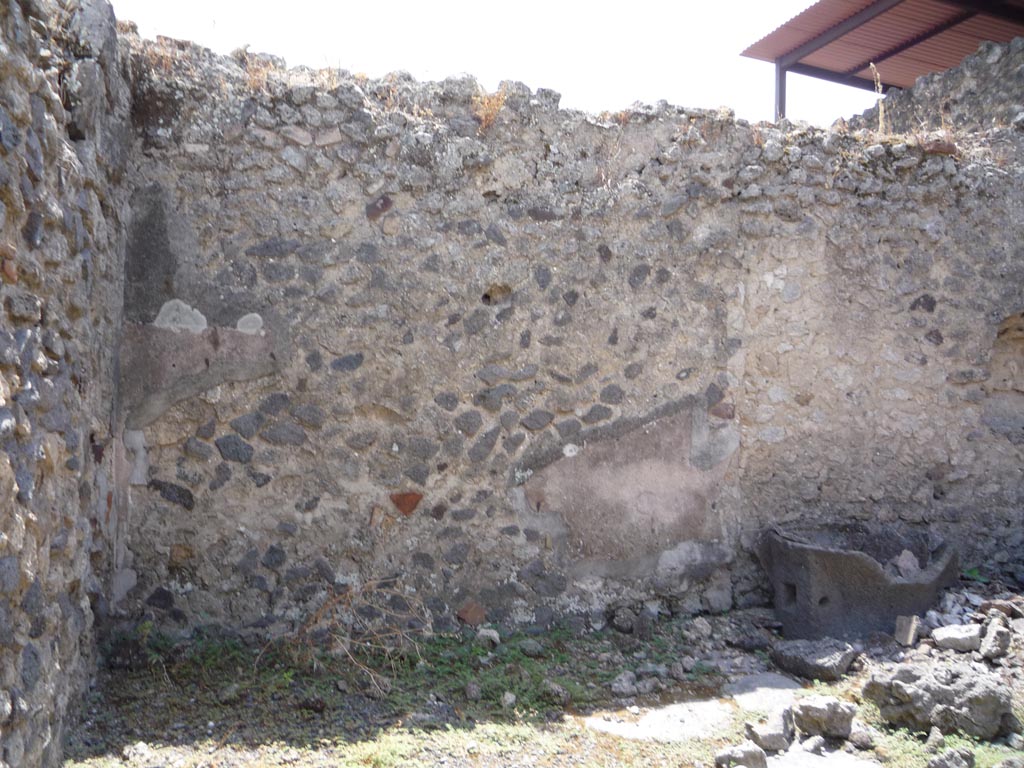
672	696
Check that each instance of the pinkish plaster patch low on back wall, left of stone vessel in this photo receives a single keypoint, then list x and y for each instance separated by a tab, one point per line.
638	501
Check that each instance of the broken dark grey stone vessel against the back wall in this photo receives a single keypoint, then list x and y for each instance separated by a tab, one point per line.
848	581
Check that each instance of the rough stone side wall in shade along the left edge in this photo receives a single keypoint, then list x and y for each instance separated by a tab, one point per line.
64	142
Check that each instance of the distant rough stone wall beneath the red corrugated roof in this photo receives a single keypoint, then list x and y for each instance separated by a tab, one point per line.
986	92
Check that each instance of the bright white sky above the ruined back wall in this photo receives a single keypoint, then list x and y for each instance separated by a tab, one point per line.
600	56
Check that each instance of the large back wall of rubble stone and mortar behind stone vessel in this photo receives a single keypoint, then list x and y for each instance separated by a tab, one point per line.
520	362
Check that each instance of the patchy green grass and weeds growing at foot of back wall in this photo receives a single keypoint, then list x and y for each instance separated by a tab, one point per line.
216	702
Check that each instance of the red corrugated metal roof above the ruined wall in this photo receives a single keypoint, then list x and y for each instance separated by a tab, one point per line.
898	39
